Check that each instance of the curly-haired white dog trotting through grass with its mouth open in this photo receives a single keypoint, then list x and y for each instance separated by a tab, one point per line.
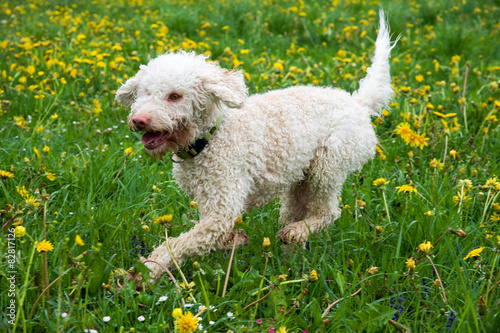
298	144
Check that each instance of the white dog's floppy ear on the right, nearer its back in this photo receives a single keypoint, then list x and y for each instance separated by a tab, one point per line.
227	87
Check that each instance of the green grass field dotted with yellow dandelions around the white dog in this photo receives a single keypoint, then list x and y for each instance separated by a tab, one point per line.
416	249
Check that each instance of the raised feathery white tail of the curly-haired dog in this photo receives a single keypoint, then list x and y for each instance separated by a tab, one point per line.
375	90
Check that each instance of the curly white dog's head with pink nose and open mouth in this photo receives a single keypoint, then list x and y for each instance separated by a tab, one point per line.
178	96
